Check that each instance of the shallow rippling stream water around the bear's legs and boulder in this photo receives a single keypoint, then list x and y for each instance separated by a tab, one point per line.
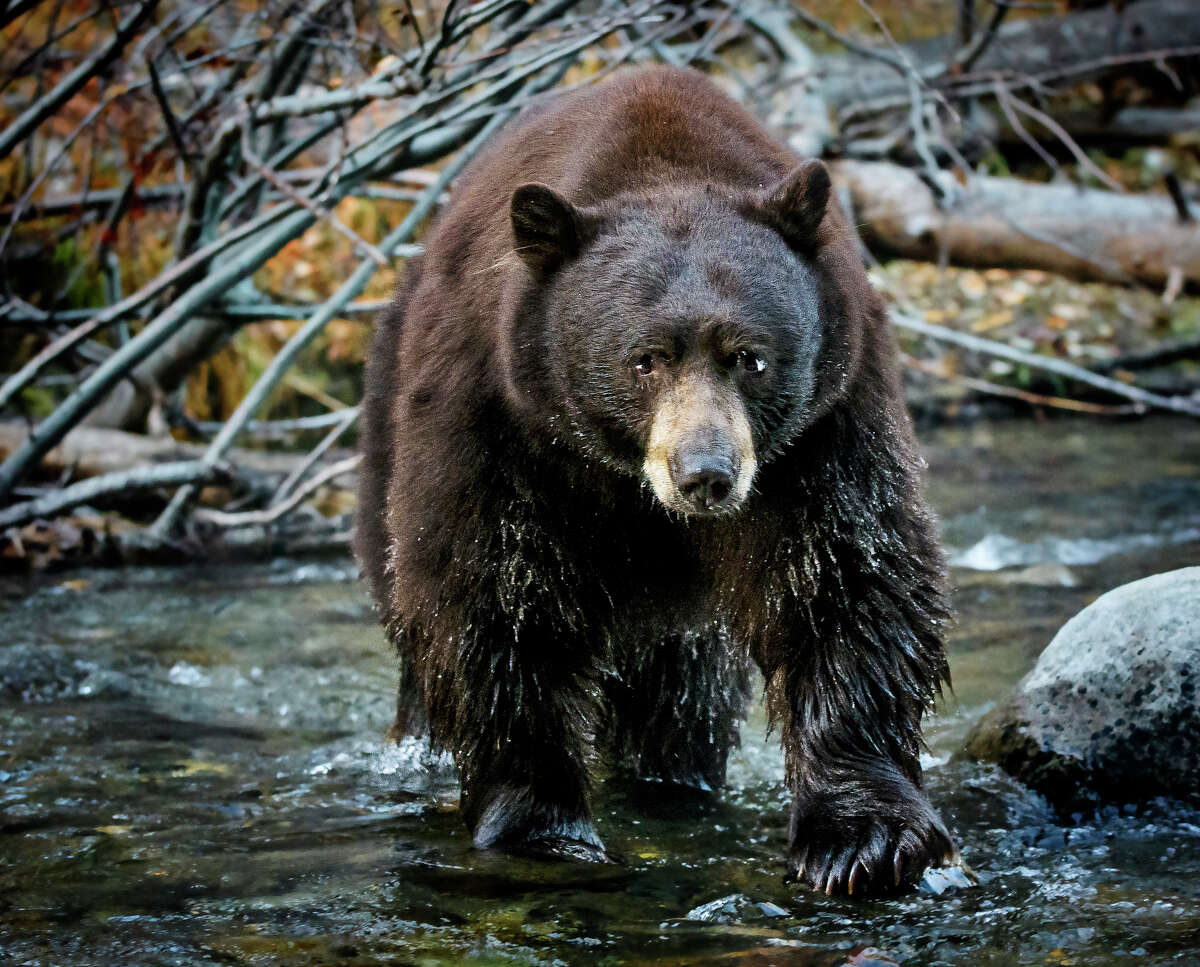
193	771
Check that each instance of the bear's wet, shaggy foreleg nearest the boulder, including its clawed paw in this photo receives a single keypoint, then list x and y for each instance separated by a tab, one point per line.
853	662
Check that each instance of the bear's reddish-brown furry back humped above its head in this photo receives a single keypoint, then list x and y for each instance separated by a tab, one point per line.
646	130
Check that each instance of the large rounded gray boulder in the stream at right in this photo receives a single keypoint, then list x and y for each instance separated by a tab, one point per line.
1112	710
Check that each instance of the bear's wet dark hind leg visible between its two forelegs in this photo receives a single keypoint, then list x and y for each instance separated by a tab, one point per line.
675	707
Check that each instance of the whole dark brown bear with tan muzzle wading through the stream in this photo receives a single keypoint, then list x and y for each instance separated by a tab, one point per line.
634	422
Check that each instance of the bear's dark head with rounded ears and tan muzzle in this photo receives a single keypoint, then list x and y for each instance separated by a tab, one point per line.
677	334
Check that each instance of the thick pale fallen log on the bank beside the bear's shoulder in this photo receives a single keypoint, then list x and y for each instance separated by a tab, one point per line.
1006	223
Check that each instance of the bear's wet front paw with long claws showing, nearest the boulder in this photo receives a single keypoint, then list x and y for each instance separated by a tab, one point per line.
857	840
